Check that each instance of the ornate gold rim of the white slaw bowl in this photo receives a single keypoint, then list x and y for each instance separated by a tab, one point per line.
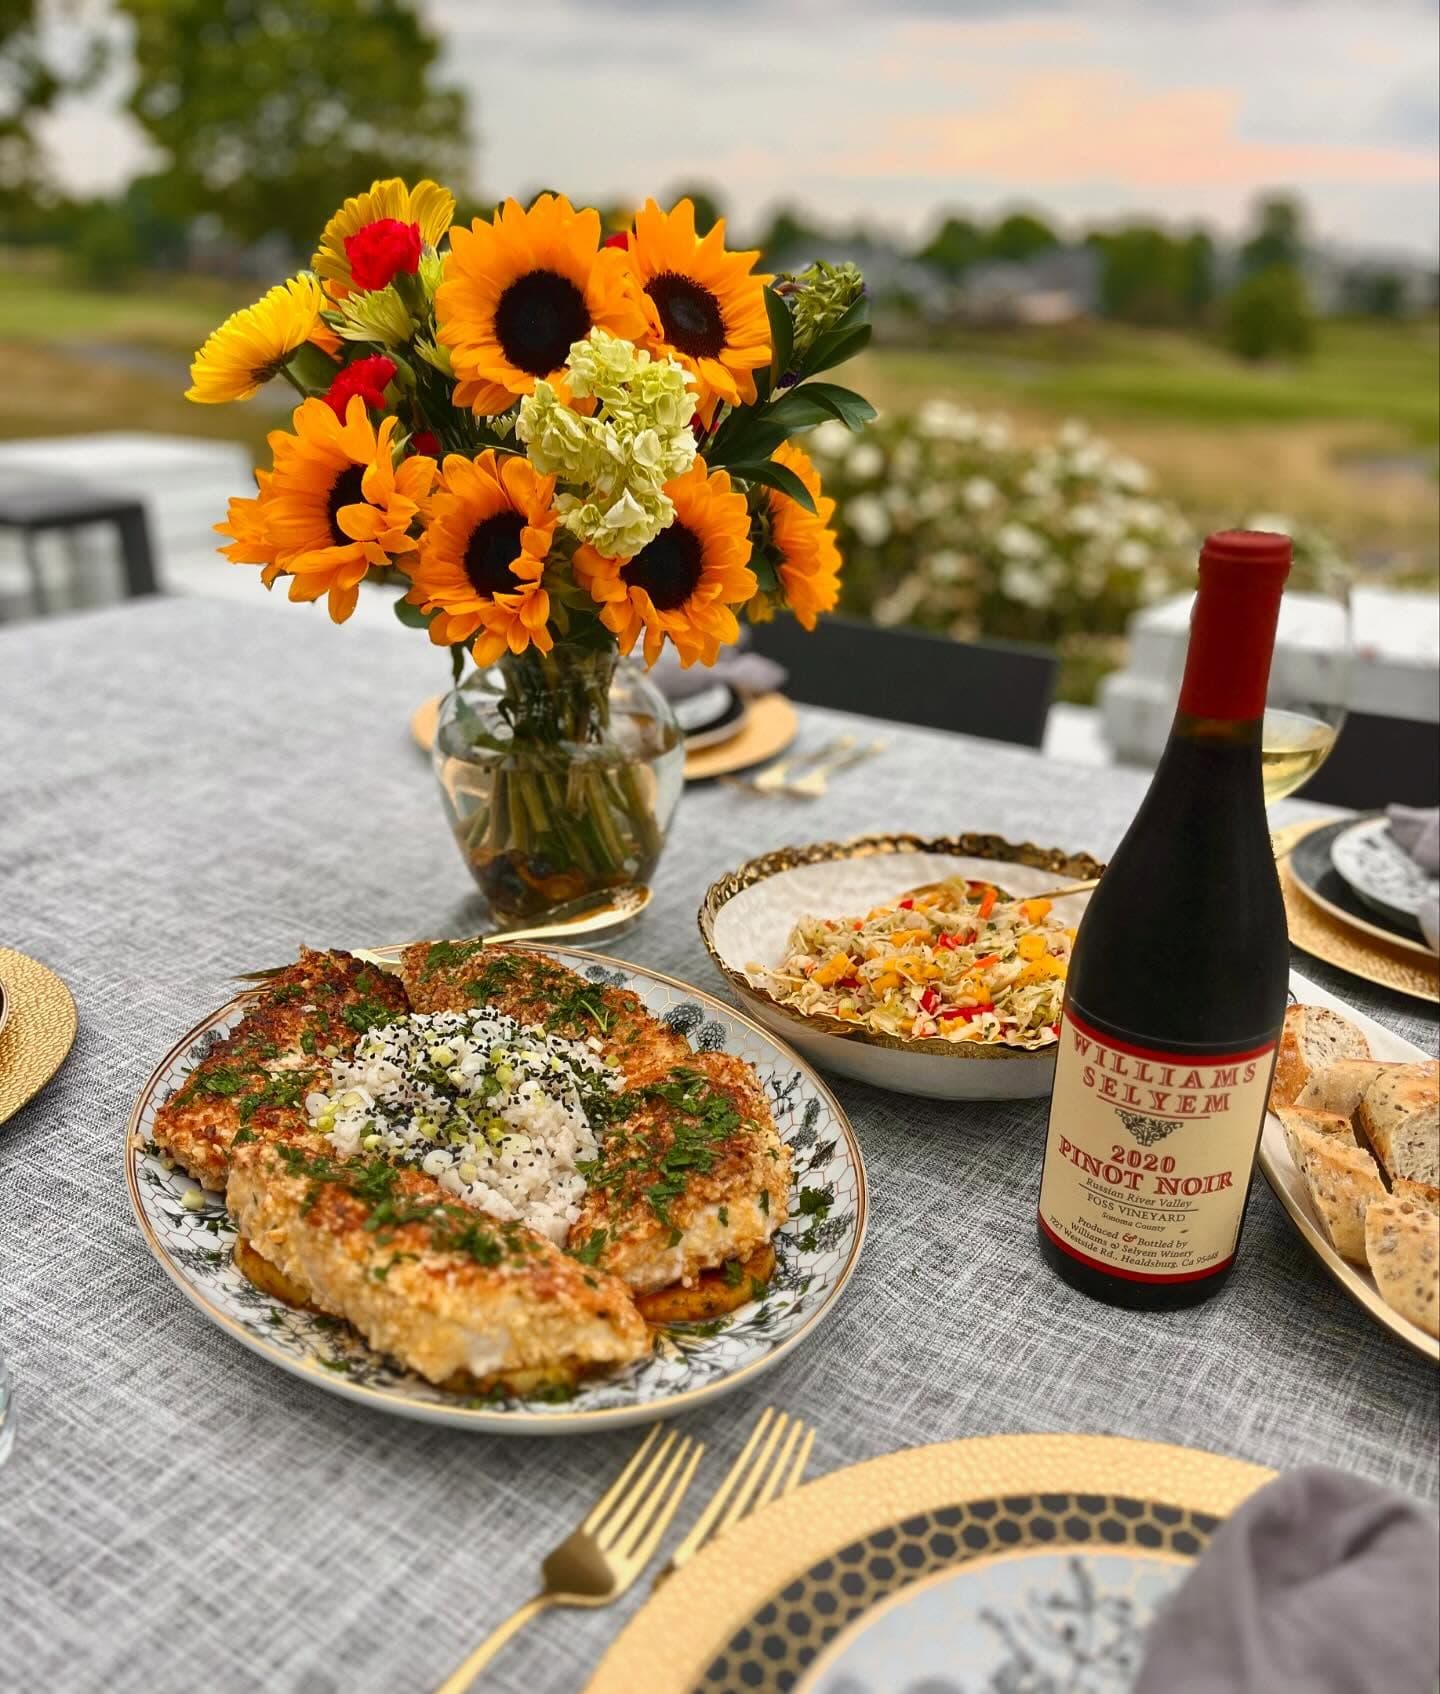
1058	861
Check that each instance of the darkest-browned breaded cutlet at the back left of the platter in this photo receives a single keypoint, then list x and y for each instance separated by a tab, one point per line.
313	1010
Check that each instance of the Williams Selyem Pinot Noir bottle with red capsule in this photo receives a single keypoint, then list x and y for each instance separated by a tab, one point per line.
1178	982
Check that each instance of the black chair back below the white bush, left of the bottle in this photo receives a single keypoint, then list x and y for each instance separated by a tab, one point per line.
911	677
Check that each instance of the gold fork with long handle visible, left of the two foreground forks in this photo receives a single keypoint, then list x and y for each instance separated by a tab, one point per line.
609	1551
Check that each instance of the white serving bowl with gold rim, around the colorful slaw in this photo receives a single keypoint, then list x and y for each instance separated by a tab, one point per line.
748	916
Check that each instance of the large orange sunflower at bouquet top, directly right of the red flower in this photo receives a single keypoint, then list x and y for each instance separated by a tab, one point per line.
519	291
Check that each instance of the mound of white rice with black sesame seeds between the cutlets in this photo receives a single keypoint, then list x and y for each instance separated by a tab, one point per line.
489	1107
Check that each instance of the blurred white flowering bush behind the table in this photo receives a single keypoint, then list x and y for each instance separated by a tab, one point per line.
955	526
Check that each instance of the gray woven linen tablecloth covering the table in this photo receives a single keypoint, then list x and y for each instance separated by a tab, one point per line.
192	789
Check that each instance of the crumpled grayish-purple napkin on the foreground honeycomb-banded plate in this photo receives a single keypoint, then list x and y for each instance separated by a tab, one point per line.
1319	1585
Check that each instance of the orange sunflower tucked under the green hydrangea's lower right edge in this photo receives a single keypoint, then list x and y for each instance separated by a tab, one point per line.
687	582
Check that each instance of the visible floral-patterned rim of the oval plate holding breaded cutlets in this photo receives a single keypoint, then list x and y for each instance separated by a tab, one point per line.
816	1253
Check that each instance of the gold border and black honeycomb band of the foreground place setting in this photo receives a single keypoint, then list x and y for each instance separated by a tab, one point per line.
758	1607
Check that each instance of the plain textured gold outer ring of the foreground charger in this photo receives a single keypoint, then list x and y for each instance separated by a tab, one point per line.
672	1641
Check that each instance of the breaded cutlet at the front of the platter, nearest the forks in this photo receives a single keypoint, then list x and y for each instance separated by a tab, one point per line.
448	1292
